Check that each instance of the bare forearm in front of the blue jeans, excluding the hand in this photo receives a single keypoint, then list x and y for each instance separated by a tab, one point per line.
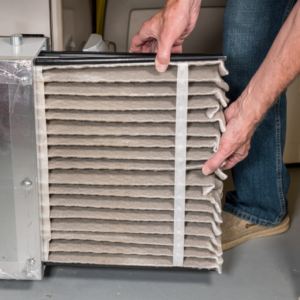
280	67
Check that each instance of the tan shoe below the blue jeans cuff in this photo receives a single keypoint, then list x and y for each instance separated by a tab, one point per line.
236	231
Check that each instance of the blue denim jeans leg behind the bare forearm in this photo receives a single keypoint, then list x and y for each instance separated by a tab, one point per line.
261	180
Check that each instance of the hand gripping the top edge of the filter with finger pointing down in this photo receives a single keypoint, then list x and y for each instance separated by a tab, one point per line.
167	29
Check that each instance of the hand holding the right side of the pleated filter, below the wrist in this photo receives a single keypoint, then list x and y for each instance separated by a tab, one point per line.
235	142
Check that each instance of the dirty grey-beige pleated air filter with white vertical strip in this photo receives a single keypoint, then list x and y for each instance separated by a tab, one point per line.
121	148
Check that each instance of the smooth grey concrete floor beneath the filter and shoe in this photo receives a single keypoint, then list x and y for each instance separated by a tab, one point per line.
262	269
